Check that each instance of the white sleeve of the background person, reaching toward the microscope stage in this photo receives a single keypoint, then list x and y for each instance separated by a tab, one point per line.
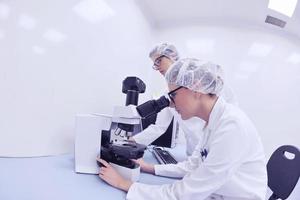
153	131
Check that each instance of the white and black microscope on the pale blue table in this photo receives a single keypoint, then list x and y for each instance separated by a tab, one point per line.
108	136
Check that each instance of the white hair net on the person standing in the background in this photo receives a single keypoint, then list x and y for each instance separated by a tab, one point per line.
164	49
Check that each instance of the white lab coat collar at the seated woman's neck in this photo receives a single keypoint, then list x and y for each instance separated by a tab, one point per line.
216	113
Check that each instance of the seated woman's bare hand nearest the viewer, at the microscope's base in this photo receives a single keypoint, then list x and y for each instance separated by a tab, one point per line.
112	177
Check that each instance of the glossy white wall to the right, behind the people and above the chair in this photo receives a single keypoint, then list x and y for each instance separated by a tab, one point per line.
263	68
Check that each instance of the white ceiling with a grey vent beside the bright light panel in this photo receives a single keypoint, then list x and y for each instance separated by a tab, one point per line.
166	13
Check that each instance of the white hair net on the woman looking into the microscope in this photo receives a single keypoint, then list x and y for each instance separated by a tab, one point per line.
196	75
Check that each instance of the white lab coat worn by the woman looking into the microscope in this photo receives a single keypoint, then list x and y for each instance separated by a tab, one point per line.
233	168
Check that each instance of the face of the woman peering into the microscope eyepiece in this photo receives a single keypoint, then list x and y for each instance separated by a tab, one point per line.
184	101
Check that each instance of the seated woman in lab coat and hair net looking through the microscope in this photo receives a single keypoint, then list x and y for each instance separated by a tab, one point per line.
228	163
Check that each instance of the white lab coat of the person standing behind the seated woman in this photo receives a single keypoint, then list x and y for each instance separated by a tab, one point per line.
190	127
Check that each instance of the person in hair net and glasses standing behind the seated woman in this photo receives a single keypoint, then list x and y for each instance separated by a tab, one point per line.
163	56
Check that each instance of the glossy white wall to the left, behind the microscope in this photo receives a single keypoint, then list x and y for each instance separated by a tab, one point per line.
56	63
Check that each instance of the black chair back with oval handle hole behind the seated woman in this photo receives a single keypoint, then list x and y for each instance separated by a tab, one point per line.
283	172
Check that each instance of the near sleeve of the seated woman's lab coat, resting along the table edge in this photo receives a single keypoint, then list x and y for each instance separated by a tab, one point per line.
222	161
